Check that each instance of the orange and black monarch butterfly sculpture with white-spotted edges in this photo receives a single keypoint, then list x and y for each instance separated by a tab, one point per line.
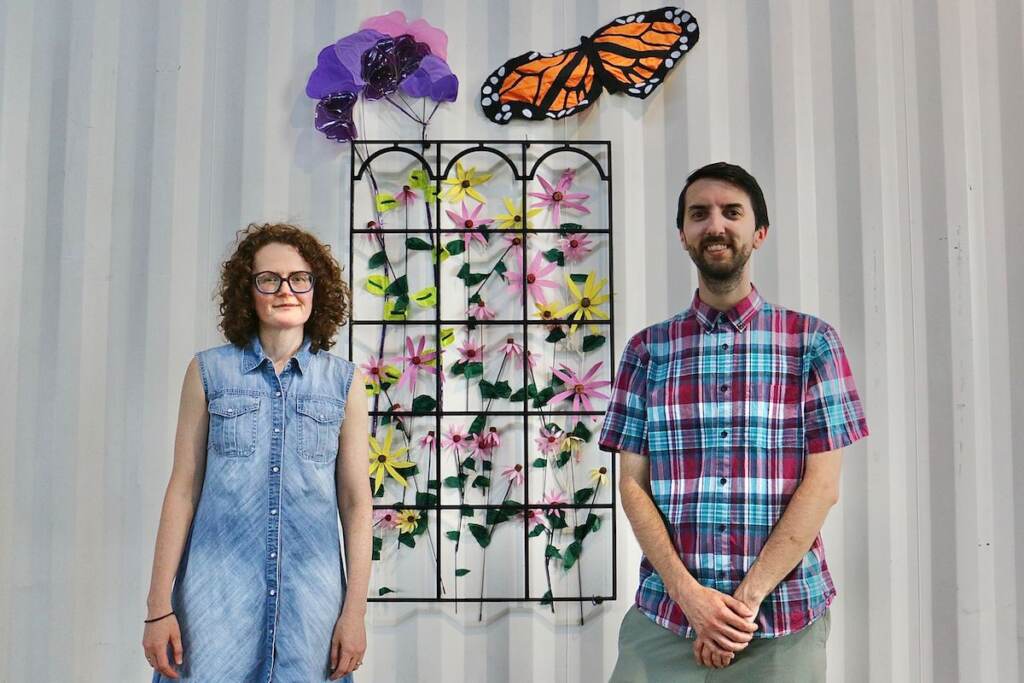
631	55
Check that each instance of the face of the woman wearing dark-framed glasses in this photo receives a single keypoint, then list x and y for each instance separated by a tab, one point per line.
285	310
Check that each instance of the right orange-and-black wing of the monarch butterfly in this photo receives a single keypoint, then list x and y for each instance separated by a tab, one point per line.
635	54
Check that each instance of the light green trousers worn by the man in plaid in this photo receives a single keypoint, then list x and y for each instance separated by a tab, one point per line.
652	654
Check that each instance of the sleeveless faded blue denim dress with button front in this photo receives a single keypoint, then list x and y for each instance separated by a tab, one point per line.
261	584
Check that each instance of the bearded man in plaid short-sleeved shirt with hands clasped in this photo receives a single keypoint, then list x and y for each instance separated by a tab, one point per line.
730	419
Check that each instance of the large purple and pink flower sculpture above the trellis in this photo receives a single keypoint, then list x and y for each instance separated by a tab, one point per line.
386	56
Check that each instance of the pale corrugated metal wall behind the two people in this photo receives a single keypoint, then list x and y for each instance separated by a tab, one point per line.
136	138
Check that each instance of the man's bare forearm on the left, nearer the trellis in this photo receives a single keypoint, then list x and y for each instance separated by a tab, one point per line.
649	527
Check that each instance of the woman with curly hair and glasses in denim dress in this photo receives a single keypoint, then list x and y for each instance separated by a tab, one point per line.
271	449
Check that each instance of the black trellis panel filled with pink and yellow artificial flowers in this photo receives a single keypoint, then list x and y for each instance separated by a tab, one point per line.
483	314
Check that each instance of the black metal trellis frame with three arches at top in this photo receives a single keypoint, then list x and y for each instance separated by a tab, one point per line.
524	174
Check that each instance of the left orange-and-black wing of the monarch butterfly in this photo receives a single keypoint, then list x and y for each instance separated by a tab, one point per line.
535	87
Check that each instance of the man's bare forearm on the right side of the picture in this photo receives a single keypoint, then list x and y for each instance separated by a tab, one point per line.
788	543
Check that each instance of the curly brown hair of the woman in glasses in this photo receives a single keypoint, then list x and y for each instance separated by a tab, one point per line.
332	296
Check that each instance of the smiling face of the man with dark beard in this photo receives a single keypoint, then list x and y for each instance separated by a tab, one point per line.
719	231
